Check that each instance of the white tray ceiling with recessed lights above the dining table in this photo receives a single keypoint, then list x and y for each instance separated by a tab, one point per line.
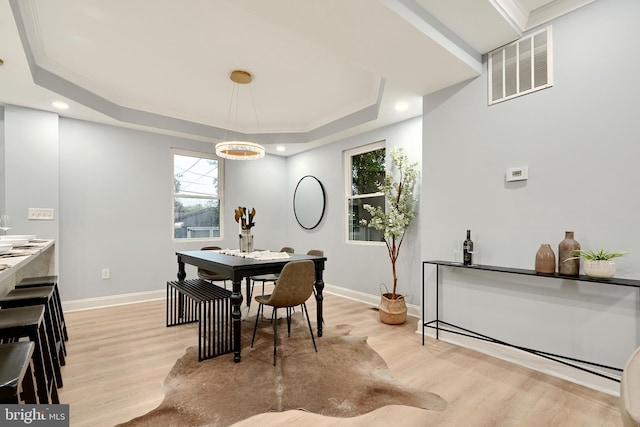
322	69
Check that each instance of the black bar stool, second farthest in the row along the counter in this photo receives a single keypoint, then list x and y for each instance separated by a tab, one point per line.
35	296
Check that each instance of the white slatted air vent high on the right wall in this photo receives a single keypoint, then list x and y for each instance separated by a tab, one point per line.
521	67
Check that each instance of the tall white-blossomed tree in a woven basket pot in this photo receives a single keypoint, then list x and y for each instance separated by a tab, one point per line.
393	222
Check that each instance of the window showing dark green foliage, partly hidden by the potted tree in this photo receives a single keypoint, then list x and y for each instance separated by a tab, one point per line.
364	169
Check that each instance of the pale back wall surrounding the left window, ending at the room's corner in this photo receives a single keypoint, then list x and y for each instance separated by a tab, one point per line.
116	199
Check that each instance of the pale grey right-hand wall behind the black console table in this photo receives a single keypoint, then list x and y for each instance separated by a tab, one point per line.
580	142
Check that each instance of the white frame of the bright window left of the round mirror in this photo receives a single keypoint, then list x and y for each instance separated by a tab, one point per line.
220	197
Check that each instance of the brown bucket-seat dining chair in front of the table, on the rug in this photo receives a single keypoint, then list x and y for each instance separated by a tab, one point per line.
295	286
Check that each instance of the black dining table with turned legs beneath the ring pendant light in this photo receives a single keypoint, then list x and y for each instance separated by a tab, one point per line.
239	266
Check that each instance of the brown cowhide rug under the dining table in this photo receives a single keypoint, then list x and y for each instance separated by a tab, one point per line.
345	378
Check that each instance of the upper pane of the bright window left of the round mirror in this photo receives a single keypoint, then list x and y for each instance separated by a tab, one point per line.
195	176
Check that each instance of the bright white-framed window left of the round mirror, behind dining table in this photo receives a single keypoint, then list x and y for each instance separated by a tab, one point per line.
196	195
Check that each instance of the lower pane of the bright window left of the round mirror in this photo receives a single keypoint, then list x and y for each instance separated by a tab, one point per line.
196	218
